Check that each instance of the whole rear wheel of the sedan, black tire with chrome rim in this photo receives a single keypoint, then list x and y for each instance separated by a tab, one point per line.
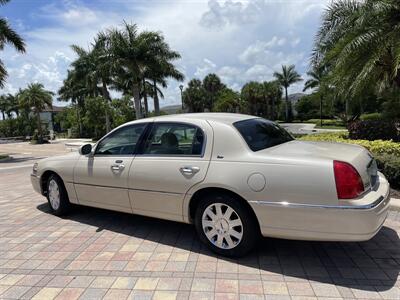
225	225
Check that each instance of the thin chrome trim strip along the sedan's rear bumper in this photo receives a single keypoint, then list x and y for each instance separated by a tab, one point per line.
300	205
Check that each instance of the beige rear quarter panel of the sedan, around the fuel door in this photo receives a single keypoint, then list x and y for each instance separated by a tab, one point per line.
291	180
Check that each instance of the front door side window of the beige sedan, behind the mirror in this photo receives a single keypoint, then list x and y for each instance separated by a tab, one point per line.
122	141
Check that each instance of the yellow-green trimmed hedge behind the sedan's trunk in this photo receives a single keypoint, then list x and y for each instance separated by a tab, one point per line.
387	153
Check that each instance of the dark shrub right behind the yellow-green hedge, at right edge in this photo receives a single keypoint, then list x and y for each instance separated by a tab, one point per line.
374	130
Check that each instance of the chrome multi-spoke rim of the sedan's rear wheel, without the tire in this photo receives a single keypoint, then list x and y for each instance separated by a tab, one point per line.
222	226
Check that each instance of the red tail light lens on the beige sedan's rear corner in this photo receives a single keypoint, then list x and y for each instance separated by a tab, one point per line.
349	184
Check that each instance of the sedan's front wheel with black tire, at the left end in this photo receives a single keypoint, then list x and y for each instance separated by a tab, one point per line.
57	196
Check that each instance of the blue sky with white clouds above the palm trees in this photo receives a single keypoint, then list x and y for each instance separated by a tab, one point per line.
238	40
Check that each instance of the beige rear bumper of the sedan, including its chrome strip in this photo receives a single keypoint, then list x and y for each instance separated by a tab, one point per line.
356	220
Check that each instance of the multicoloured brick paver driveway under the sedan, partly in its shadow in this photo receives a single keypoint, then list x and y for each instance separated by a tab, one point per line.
92	253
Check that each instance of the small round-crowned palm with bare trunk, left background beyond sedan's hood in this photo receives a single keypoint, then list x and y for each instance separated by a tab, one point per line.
37	98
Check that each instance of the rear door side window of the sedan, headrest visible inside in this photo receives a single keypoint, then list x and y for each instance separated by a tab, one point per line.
174	139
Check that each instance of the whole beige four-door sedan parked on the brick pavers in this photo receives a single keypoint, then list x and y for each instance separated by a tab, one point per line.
235	177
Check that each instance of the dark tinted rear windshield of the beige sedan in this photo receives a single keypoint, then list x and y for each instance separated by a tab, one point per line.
260	134
